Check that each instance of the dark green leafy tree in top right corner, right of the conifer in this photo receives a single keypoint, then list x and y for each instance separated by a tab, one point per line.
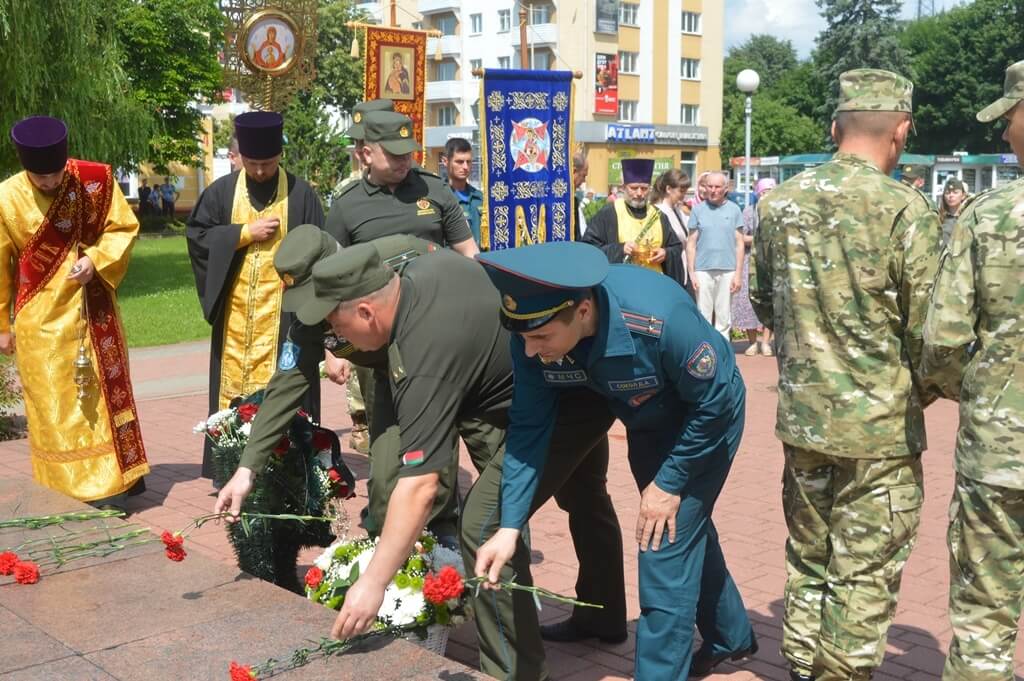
958	63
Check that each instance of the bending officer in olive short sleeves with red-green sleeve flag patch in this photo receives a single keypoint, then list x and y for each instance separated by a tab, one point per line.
441	379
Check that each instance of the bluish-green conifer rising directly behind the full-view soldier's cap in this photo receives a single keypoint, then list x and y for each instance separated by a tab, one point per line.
860	34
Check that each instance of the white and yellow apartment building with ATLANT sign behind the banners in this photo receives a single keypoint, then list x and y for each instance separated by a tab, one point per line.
668	54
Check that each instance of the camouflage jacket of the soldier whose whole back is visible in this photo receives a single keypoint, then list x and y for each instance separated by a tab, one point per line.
843	267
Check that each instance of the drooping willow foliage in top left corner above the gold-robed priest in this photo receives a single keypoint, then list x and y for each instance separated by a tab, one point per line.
64	59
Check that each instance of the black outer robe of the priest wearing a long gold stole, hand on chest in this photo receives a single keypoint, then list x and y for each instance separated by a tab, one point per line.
216	259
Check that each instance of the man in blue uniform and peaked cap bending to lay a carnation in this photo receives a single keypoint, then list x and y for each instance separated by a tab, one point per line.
636	338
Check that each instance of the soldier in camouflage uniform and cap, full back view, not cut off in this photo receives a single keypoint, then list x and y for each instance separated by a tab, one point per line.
842	271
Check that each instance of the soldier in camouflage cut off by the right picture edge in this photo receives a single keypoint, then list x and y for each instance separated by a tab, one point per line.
977	305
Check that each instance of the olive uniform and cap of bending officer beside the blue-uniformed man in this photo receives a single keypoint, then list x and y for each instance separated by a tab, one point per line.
442	379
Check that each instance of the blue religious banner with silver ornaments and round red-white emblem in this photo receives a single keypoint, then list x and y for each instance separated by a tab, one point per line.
526	160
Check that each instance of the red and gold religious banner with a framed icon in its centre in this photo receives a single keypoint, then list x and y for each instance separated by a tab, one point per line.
396	69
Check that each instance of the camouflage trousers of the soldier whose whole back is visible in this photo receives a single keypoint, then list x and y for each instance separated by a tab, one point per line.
852	525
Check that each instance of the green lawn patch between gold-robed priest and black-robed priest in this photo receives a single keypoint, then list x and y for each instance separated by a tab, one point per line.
158	299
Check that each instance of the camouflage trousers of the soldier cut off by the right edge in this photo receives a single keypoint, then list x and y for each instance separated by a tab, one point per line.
987	580
